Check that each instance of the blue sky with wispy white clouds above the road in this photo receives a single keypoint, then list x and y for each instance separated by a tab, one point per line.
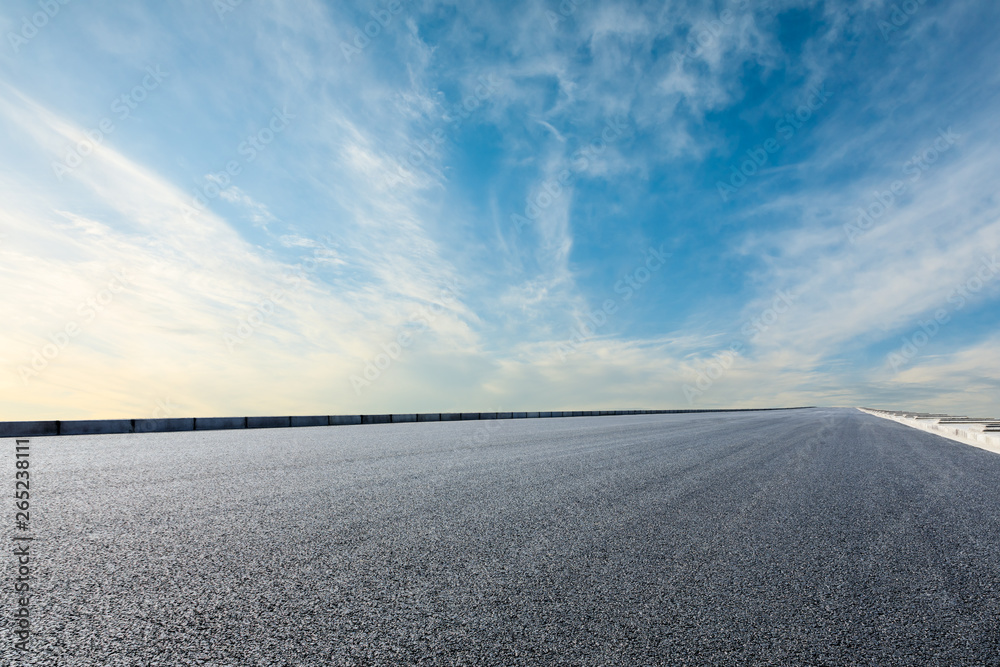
227	208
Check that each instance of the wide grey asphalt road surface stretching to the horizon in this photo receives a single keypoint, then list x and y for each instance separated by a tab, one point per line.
805	537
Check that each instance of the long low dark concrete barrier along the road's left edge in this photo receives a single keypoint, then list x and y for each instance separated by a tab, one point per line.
27	429
